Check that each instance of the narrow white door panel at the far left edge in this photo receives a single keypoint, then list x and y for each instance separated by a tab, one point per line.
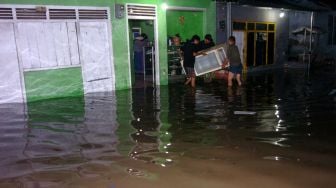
10	75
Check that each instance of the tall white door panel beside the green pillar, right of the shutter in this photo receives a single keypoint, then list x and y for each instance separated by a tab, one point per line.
95	57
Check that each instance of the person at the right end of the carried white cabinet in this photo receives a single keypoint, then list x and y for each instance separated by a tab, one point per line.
233	58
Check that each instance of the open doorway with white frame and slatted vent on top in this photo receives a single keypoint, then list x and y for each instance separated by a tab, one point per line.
143	45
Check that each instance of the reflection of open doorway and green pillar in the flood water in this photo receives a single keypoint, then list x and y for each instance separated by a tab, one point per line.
151	138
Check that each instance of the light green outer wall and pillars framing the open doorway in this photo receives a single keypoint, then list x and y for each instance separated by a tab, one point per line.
119	34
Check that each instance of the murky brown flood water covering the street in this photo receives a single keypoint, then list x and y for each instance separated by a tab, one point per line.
175	136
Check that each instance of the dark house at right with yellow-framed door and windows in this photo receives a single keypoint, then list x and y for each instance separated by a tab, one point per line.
266	31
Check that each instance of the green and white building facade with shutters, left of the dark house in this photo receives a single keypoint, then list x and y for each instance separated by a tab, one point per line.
69	48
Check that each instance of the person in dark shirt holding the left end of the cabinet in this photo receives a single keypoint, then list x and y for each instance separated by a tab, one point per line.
190	50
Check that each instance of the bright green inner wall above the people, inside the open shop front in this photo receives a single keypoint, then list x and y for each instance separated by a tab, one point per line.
192	24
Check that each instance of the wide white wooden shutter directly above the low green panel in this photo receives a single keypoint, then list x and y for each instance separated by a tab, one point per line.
47	45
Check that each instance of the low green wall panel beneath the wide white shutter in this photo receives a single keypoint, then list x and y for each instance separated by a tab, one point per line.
53	83
